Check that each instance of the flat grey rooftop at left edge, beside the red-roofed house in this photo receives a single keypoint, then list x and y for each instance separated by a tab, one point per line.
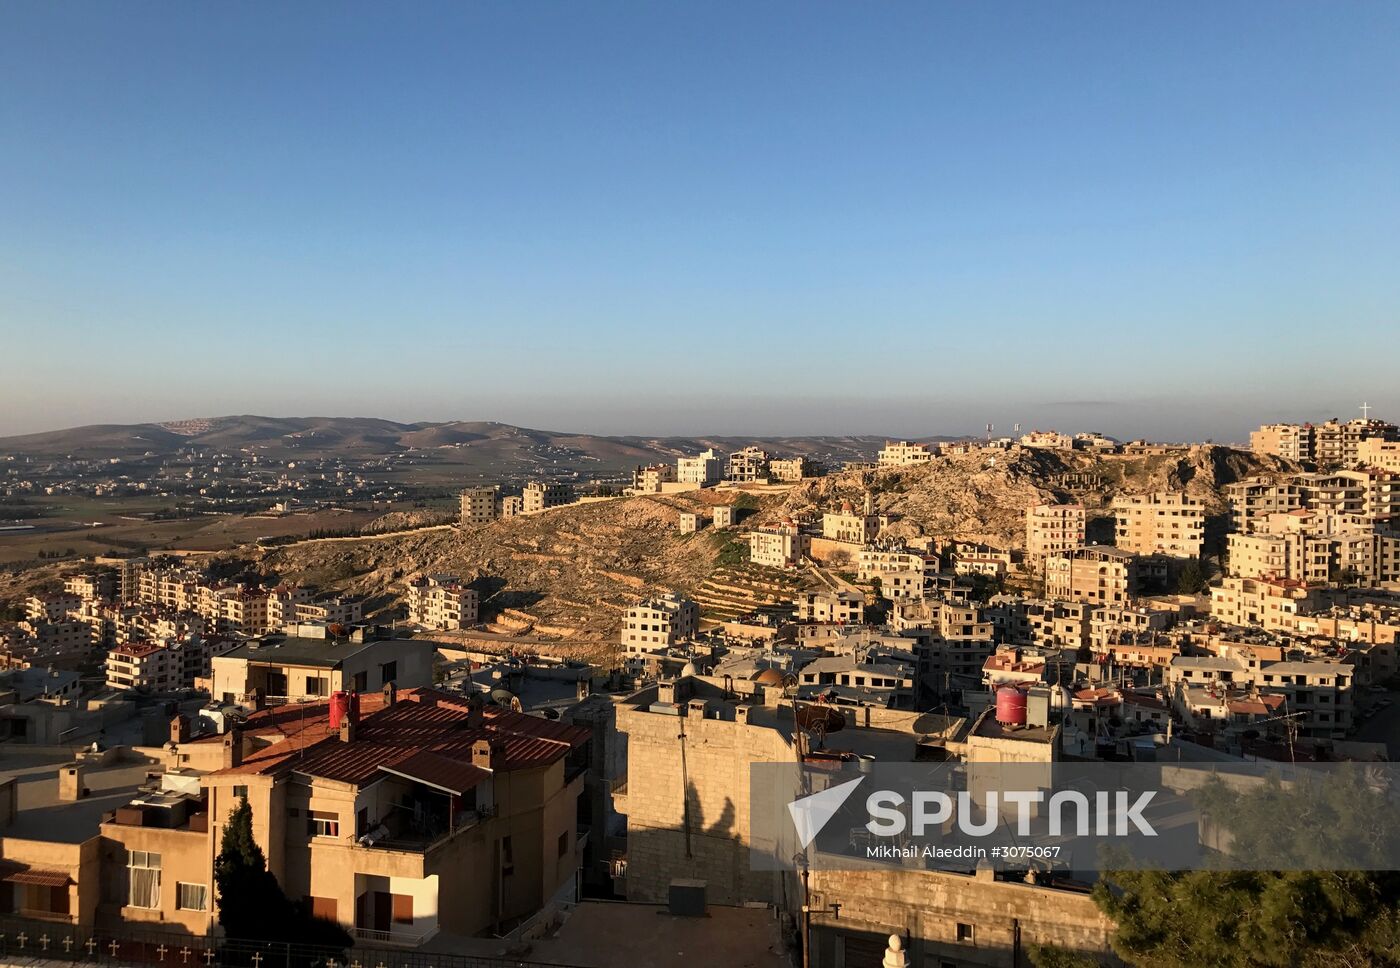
44	817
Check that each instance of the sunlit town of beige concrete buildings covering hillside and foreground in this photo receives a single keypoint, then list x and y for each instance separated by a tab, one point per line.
442	777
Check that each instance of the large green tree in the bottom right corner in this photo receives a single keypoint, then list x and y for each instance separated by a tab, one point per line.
1312	915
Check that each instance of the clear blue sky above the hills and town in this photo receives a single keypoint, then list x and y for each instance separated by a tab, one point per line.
1161	219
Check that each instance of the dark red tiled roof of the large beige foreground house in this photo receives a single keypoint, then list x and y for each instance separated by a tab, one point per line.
423	721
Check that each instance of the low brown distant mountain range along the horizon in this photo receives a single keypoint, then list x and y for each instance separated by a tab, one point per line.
367	438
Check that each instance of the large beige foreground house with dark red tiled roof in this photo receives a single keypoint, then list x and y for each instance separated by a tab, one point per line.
423	815
